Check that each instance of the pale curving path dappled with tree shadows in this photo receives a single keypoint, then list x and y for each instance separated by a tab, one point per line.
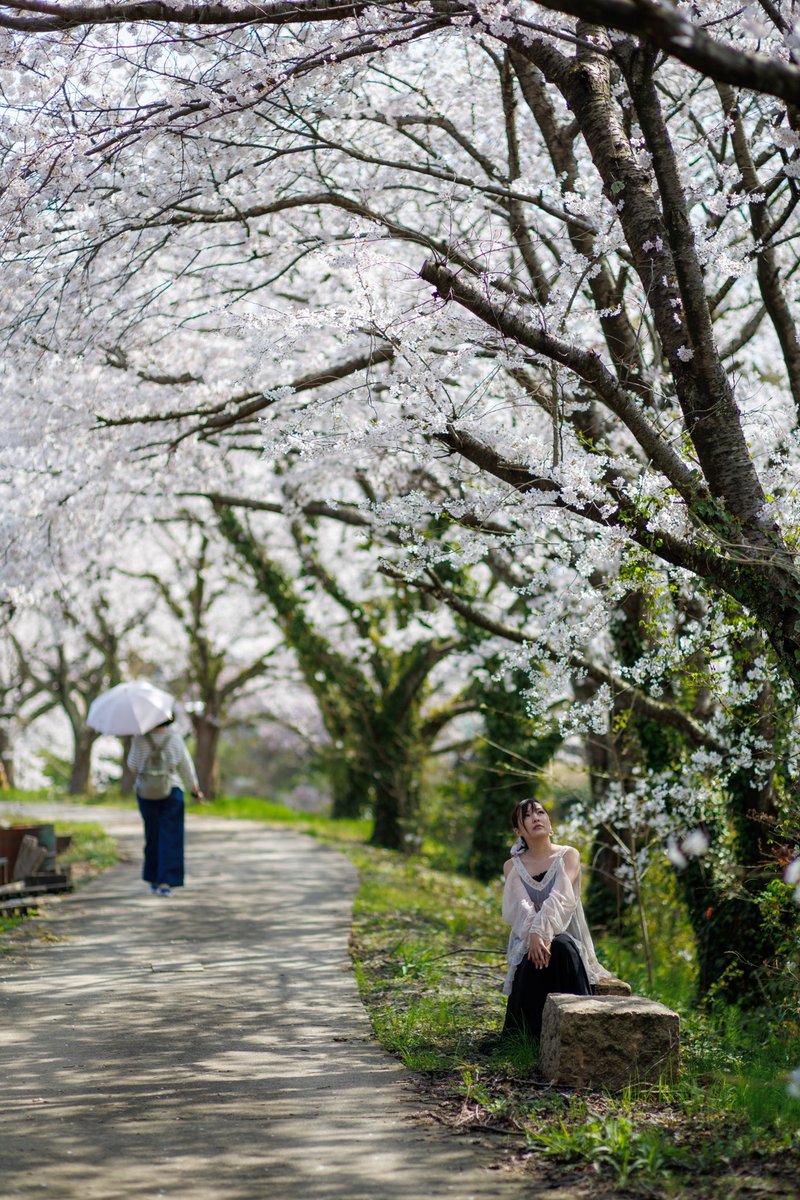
210	1046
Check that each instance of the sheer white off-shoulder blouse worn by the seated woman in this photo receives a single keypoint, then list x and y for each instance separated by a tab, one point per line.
555	908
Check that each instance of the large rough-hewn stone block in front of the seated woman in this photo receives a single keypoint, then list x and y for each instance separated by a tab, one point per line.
607	1041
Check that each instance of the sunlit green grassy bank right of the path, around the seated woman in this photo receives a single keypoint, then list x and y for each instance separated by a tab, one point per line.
429	956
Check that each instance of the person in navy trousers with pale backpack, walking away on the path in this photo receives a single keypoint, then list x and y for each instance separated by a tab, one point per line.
164	769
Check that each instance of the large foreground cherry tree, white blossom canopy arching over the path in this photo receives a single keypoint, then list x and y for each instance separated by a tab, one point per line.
548	251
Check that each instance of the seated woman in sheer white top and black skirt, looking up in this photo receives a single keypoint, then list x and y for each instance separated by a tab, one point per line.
550	946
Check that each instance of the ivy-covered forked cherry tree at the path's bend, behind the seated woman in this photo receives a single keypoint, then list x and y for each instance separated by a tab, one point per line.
372	679
